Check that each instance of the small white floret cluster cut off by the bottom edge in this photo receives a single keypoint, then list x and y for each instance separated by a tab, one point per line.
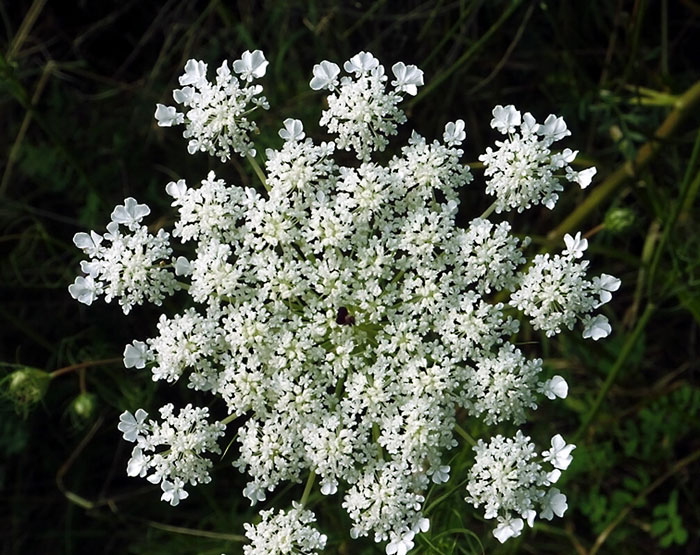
287	532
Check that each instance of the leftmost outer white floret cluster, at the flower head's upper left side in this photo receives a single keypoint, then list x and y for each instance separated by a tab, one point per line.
124	264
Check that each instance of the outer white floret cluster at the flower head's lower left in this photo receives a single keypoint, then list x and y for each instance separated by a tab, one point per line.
170	454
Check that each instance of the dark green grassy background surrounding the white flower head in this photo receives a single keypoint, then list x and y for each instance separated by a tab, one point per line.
78	87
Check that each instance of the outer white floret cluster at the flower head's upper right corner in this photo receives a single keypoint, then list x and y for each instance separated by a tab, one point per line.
524	171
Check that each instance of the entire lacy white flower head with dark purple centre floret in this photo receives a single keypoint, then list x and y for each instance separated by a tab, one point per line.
345	315
